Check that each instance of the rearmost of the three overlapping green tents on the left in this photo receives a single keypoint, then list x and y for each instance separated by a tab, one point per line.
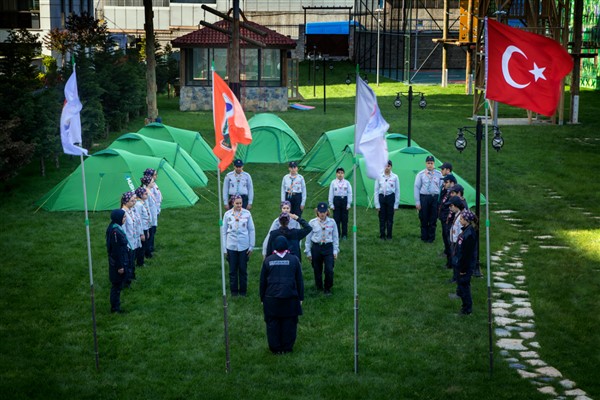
190	141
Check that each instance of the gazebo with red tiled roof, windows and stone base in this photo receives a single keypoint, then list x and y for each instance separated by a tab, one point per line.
263	70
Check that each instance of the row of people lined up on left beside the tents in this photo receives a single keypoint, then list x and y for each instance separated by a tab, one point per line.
130	235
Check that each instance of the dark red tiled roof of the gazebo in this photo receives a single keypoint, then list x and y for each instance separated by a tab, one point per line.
206	37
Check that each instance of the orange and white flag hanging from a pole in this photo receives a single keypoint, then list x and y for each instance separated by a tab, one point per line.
231	126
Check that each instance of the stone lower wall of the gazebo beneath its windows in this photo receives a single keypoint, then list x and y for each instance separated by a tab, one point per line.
255	99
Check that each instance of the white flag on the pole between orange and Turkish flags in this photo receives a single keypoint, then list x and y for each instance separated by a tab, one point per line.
369	134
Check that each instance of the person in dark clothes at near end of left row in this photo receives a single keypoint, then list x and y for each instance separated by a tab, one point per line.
118	257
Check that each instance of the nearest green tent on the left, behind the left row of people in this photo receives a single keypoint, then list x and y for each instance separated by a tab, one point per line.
108	174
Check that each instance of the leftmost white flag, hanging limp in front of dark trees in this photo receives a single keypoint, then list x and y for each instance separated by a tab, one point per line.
70	121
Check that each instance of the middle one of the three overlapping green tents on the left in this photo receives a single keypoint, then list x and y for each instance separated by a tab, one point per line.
179	159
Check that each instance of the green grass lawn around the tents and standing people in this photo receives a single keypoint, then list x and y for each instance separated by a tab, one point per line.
412	346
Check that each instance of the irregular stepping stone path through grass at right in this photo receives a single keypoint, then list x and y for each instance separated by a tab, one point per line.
514	317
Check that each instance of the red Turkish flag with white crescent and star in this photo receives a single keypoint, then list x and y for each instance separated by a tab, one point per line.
524	69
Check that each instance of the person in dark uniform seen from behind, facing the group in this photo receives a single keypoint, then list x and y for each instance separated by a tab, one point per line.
281	293
